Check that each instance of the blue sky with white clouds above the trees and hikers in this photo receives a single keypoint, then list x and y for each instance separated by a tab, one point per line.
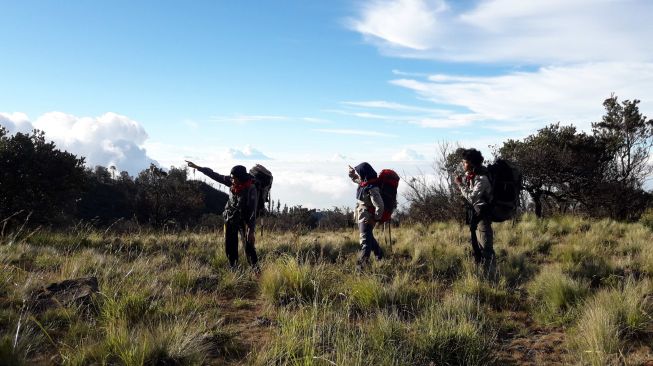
307	88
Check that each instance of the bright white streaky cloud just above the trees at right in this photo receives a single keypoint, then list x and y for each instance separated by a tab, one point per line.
521	101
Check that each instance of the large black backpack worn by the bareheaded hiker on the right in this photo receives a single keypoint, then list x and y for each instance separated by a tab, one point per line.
506	181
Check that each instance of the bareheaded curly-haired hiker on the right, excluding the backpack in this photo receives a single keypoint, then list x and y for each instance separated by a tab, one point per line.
475	187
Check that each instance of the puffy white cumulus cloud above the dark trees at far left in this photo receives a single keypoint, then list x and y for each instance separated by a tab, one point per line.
110	139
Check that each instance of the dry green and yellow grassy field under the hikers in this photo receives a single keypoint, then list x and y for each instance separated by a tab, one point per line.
567	291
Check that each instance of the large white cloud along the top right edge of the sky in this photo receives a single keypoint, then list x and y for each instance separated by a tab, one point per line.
532	31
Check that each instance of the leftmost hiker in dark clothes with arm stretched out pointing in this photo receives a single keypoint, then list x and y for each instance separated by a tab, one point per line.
240	212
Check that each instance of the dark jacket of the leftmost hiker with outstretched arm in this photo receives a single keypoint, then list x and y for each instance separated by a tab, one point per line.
241	208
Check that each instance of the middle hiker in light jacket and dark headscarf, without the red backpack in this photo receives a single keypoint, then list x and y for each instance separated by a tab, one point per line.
369	210
